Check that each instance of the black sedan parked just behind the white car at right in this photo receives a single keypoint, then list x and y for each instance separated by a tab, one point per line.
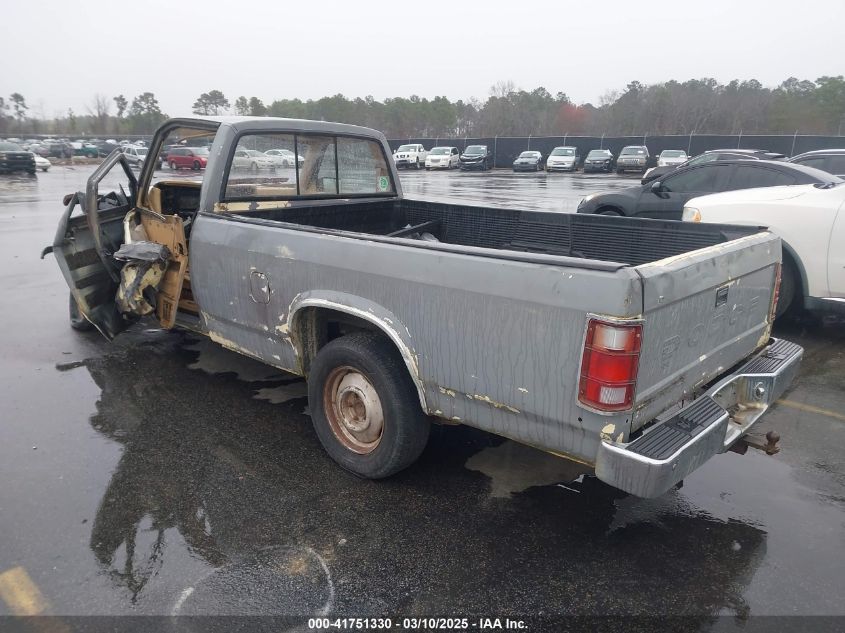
664	199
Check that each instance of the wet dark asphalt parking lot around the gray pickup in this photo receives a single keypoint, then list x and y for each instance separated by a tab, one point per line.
161	474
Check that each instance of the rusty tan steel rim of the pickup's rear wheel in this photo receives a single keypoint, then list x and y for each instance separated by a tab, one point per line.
353	409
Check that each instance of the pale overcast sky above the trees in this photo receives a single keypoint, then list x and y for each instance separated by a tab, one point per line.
66	52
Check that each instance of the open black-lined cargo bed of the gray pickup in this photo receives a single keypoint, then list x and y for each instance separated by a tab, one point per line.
627	241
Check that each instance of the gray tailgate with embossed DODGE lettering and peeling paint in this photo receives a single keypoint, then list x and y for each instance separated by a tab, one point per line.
703	311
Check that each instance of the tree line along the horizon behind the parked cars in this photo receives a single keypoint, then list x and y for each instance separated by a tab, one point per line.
700	106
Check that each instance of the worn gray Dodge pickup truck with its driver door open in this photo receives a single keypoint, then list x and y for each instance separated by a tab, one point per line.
638	347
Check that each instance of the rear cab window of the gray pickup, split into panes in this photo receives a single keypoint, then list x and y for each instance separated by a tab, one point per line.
281	166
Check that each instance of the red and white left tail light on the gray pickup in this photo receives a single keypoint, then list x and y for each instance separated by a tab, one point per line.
609	365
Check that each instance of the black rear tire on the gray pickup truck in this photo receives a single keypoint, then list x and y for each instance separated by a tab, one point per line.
405	429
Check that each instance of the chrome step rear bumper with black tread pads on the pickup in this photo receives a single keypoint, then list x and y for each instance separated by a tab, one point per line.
660	458
